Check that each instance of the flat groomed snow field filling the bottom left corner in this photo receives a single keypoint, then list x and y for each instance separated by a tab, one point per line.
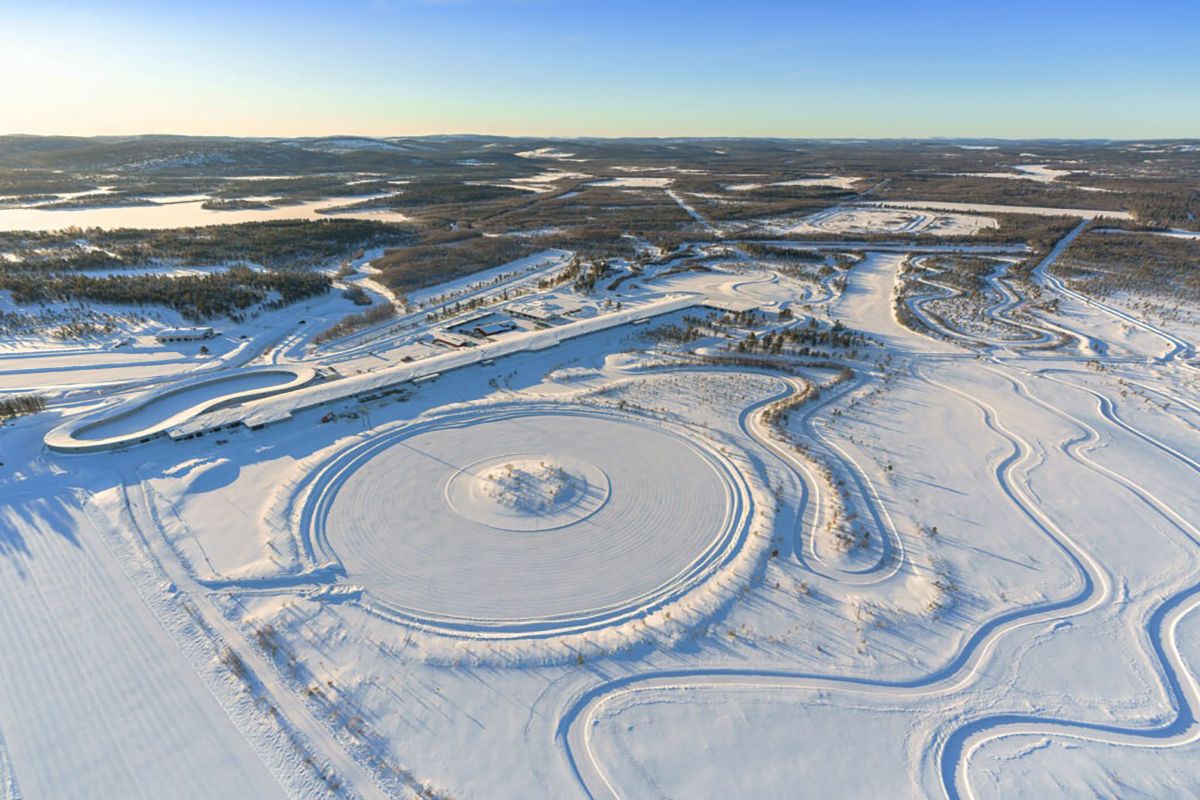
98	697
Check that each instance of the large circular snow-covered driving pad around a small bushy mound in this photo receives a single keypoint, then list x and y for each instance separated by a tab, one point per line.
655	514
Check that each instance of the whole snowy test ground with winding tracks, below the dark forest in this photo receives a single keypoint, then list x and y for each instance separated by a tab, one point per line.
728	528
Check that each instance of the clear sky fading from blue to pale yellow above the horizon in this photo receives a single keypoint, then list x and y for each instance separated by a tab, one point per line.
604	68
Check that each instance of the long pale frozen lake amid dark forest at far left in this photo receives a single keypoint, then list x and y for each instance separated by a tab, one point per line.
182	213
